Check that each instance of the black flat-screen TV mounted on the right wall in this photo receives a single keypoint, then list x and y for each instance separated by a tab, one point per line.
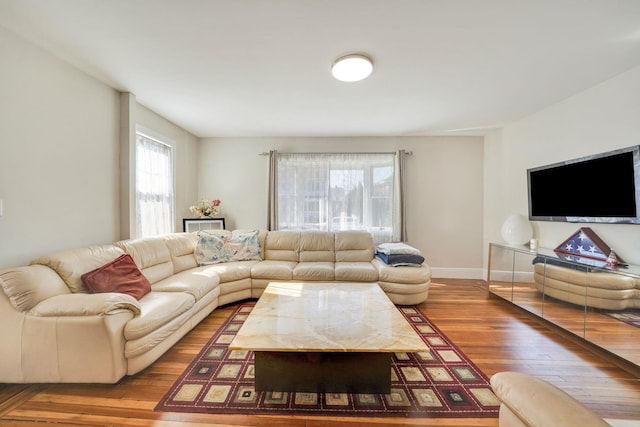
600	188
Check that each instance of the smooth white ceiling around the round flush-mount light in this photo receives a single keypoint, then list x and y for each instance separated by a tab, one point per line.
261	67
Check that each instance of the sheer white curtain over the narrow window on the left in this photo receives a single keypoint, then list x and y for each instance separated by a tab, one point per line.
154	187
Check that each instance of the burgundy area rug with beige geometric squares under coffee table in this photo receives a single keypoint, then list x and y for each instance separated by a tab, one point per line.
441	383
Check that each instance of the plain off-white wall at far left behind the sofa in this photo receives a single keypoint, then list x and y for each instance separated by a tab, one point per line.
58	155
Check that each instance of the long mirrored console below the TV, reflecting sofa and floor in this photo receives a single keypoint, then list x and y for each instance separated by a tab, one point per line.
589	301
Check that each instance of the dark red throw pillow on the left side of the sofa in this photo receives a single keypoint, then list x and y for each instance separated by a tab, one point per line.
120	275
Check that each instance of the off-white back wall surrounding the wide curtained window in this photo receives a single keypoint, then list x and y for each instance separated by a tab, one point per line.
444	190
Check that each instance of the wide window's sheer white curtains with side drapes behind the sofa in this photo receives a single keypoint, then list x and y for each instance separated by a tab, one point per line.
337	191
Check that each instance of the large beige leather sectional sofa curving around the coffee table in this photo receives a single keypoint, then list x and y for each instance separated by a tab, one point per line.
54	330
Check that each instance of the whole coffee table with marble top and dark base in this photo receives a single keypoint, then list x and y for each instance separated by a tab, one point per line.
325	337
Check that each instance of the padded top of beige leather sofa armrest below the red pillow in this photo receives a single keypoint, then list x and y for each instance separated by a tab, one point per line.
85	305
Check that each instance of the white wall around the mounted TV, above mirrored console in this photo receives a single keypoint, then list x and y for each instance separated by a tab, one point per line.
600	119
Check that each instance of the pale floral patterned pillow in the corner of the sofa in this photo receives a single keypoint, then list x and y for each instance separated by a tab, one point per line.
213	248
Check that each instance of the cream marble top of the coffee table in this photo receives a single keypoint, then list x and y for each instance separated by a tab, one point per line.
326	317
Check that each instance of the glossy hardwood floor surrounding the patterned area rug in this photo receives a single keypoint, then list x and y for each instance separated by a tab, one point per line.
494	334
